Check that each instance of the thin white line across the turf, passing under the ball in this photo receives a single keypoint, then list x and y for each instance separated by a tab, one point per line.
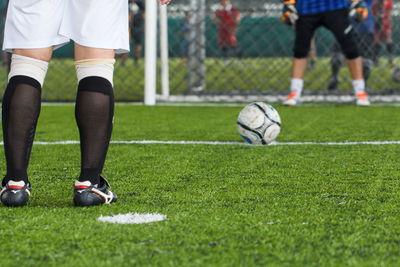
217	143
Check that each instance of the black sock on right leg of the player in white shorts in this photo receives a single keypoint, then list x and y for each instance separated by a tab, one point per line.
94	113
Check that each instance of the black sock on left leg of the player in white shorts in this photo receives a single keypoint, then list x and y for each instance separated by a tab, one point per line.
20	112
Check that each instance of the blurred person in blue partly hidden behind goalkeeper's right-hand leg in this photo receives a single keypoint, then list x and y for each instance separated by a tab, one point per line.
364	34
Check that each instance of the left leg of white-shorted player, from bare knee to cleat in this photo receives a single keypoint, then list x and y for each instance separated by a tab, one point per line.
20	112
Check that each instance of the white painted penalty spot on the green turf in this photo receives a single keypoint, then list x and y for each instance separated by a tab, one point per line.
133	218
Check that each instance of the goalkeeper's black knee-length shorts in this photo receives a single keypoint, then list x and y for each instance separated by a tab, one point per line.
337	21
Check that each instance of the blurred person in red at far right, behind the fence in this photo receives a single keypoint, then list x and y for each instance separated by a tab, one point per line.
383	28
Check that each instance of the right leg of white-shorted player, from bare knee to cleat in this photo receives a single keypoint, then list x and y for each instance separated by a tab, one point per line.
94	111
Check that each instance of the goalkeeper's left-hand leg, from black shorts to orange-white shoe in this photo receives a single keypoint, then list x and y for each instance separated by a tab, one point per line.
305	28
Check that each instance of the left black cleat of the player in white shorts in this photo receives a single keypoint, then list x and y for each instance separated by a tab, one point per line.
15	194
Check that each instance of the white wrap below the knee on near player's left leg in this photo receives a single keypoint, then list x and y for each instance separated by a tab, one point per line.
27	66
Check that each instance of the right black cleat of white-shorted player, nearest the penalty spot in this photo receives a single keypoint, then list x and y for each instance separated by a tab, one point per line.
88	194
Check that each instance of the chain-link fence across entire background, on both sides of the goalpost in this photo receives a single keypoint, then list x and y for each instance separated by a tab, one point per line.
201	64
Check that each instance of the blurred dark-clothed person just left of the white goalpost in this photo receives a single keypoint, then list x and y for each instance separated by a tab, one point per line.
137	27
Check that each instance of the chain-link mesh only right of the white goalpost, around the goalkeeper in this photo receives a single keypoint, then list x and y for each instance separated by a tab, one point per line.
260	61
